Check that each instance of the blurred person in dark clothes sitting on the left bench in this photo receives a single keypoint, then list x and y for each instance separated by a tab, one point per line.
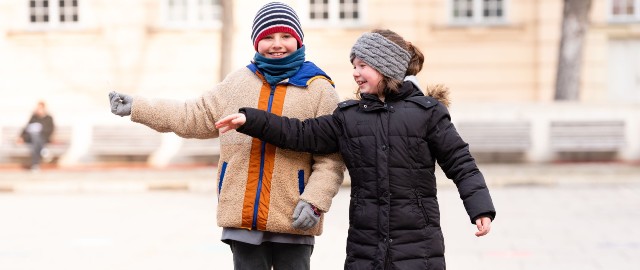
37	133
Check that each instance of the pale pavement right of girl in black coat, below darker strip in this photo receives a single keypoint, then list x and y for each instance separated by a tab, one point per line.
585	227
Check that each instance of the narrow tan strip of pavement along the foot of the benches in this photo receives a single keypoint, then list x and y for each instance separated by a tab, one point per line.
201	178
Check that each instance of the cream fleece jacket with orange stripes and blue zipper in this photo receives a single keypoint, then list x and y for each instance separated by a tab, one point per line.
279	190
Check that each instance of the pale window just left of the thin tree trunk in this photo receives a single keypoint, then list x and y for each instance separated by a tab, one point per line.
192	12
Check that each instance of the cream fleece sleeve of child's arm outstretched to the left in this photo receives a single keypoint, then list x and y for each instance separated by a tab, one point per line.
194	118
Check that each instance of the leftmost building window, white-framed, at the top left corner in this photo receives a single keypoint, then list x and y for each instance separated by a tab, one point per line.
53	12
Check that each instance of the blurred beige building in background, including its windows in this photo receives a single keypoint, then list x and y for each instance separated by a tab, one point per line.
73	52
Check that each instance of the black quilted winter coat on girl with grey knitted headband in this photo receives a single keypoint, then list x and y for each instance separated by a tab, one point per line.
390	149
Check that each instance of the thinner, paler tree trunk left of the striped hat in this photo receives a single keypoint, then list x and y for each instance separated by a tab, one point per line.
226	37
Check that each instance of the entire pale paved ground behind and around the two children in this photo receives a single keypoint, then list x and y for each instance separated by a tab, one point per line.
165	219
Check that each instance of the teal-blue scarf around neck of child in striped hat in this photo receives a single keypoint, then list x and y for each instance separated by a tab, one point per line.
276	70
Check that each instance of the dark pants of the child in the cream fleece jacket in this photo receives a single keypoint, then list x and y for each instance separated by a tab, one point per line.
263	257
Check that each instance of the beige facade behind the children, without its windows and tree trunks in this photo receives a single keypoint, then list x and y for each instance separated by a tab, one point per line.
125	45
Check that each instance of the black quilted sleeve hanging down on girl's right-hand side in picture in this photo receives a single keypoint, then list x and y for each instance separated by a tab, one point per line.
453	155
